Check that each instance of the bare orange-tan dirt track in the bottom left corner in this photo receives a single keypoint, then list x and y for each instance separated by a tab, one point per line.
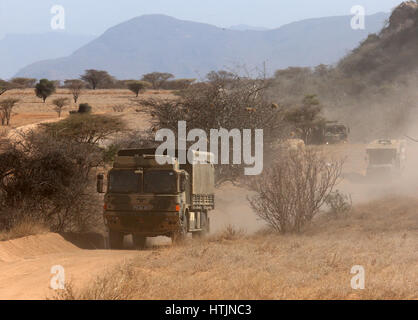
25	264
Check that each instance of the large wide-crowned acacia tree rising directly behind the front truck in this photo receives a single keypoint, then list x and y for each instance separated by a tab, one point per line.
238	103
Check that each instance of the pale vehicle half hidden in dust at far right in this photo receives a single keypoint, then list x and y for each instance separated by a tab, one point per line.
385	158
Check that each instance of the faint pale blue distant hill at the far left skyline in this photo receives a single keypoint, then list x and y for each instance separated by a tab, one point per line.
19	50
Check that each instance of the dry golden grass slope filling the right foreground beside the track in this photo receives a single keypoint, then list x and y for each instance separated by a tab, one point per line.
381	236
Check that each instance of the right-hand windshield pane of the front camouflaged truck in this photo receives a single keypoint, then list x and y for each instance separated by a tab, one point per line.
160	182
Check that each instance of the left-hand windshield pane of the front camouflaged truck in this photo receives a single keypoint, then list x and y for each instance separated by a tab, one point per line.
124	181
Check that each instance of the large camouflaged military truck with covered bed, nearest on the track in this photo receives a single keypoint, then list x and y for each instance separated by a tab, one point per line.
147	199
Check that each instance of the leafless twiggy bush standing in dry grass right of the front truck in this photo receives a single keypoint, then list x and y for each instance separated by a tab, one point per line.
291	192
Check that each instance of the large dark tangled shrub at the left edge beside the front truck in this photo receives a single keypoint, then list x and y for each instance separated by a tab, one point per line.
47	179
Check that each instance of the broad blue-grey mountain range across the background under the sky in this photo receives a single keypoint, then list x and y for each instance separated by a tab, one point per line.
189	49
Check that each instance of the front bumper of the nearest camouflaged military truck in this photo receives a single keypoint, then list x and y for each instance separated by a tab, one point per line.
148	224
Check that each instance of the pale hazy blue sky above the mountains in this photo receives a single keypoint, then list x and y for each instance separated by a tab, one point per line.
95	16
